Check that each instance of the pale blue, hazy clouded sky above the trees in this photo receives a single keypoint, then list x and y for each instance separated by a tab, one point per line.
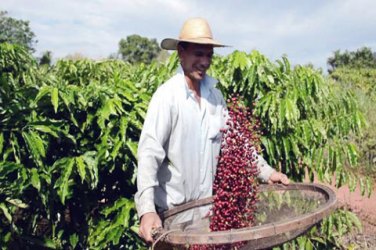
306	31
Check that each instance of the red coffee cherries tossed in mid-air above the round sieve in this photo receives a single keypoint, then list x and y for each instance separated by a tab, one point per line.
235	186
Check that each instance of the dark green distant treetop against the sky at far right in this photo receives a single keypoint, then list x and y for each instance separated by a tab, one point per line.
361	58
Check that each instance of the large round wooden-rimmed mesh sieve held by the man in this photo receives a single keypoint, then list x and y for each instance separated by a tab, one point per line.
282	214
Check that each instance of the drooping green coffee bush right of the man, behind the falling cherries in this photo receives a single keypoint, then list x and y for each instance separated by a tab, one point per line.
304	119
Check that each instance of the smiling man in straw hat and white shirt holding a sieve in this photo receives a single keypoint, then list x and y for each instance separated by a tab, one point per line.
180	140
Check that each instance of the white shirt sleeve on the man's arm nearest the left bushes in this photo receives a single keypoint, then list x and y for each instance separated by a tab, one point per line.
151	152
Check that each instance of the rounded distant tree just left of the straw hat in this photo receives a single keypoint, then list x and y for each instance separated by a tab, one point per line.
138	49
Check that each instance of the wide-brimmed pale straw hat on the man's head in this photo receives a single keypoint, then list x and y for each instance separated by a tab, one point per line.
194	30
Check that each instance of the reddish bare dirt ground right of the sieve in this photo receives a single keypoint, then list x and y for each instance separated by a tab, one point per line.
365	208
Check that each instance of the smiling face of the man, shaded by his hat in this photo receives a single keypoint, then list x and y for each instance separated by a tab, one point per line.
195	59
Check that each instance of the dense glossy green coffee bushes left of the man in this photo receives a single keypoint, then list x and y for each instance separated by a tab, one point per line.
68	145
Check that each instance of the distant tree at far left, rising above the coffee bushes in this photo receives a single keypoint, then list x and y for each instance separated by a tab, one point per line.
16	31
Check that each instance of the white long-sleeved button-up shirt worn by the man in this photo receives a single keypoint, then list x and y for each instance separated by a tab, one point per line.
179	145
